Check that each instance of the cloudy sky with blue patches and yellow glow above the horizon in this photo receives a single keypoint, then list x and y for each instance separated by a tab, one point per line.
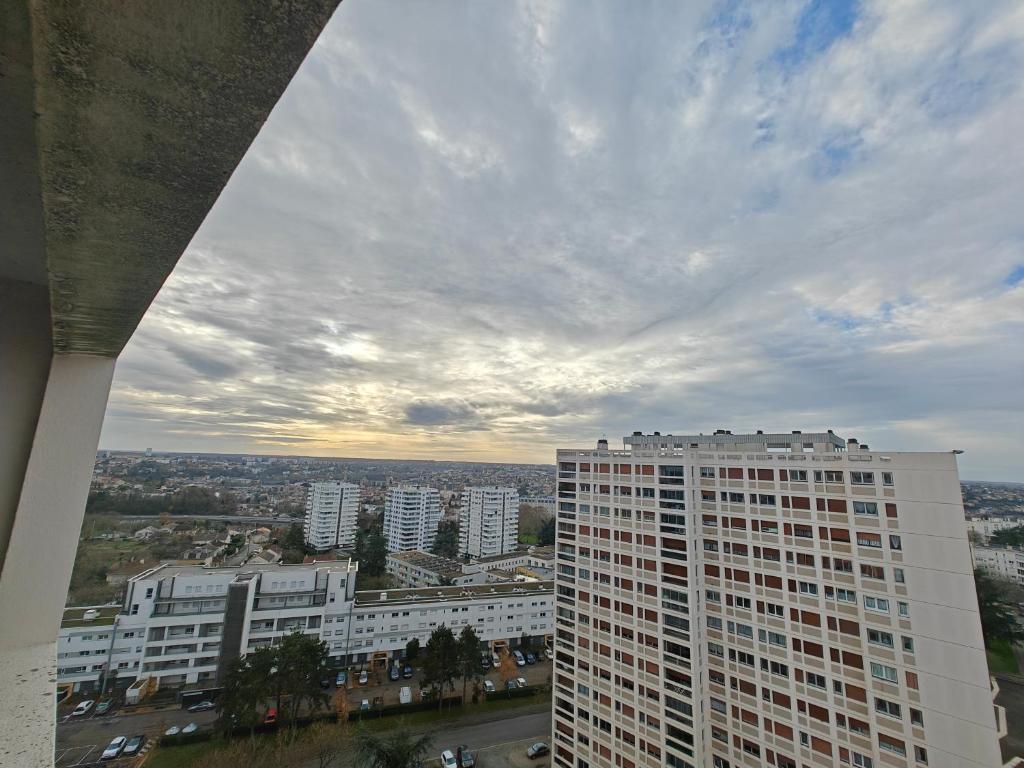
483	231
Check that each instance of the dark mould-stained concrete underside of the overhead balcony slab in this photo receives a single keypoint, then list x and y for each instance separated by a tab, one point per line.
144	111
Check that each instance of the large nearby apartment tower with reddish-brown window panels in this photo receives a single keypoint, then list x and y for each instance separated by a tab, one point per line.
761	601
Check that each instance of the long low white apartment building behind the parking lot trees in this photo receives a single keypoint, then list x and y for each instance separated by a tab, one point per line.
183	625
